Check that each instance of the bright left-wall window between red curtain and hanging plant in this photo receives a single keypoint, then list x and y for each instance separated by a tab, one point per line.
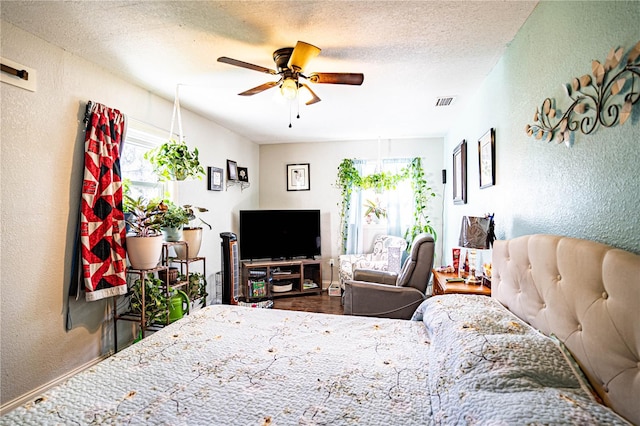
140	138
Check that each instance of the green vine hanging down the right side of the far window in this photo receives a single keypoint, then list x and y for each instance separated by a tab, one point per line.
421	195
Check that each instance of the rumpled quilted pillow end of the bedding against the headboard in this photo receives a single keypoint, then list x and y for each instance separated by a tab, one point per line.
489	367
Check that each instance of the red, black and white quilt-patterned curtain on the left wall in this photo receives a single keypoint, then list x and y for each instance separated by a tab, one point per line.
102	225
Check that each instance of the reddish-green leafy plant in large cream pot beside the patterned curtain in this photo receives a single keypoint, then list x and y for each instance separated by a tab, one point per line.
144	245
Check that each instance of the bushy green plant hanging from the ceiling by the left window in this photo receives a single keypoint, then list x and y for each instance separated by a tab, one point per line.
173	161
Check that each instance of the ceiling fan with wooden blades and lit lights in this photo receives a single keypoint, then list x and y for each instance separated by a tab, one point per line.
290	64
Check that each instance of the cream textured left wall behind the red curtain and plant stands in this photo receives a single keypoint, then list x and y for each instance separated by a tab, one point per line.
42	165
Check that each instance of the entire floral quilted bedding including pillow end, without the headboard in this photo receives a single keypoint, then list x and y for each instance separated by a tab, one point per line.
464	360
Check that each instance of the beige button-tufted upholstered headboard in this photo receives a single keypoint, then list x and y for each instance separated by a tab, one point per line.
588	295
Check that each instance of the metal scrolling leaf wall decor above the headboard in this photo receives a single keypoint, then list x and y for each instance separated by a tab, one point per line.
605	98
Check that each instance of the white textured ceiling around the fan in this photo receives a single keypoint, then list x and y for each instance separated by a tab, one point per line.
411	53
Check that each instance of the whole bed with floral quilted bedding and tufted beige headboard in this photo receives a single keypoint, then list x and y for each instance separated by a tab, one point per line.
461	360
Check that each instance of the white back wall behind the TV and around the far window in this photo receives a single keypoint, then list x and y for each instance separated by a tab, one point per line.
324	159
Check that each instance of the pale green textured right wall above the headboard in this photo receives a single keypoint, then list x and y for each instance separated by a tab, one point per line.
591	190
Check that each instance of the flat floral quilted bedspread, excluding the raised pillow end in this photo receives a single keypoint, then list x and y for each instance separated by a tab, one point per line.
235	365
